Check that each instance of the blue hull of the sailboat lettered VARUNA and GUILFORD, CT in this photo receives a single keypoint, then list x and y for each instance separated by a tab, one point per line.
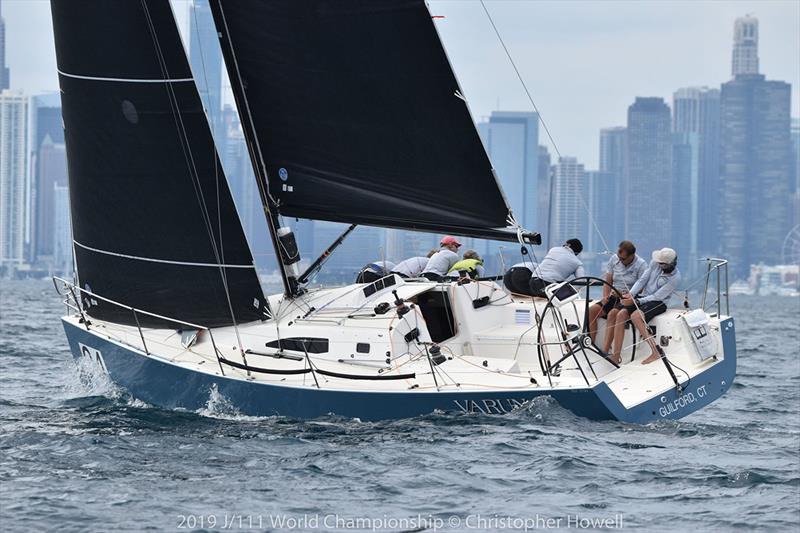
167	385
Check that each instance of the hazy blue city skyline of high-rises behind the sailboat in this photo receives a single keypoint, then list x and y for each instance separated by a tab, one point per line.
667	149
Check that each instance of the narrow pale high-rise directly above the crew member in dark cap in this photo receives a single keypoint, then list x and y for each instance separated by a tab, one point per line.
569	218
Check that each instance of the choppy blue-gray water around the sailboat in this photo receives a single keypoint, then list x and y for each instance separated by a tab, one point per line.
78	454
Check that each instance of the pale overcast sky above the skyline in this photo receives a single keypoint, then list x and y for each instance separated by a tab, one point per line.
583	61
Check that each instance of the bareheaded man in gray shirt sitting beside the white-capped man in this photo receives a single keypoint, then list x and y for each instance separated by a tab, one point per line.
622	271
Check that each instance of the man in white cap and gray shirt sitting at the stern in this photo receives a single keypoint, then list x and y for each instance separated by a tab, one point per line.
647	299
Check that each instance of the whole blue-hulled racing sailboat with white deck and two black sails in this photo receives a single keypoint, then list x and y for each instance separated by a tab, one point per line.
352	113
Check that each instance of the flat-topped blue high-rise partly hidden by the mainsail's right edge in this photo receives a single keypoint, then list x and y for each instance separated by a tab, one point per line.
511	139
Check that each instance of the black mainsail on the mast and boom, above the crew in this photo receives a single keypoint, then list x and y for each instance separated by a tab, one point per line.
356	115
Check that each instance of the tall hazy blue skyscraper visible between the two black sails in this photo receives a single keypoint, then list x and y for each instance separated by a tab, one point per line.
206	60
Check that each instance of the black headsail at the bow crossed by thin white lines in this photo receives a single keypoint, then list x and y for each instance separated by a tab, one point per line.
153	220
